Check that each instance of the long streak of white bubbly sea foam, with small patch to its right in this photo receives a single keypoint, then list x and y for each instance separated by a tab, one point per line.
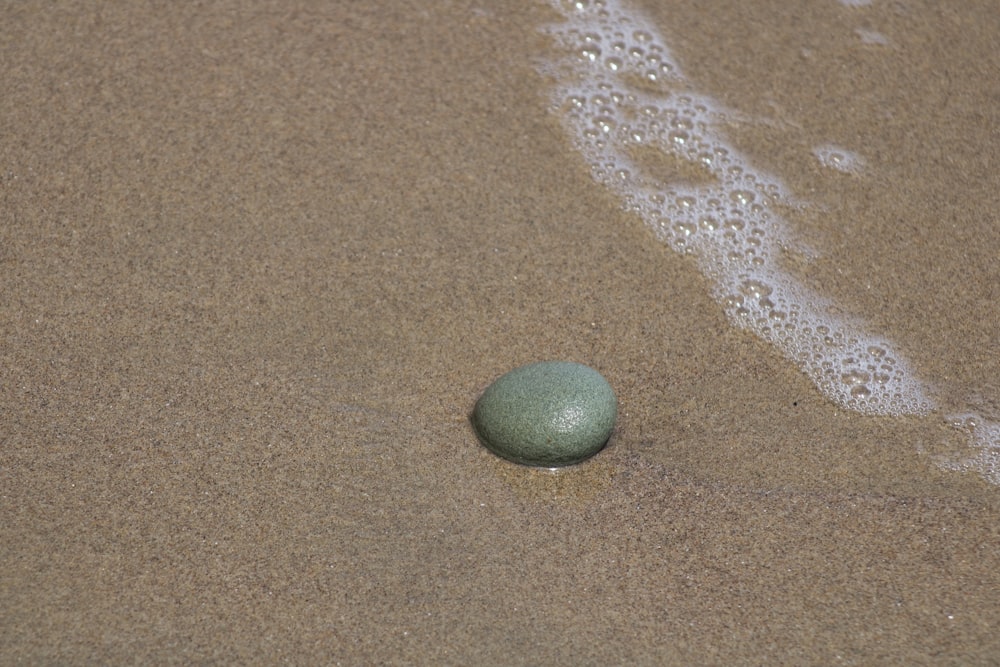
656	143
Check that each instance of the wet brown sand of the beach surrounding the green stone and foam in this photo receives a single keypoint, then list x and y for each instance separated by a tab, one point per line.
259	258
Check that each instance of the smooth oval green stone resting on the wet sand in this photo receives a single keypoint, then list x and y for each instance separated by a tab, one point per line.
550	413
